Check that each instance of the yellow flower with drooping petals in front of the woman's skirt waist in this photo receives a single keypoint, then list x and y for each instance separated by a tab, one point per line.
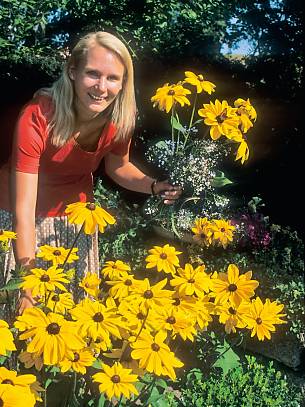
90	215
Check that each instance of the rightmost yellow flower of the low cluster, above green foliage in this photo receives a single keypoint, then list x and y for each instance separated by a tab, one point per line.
261	318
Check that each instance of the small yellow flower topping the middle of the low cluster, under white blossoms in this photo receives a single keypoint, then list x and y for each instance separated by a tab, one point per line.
164	258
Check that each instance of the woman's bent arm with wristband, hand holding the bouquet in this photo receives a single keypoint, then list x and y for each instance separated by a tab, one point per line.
124	173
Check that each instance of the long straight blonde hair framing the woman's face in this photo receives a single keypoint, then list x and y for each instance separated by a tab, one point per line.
123	109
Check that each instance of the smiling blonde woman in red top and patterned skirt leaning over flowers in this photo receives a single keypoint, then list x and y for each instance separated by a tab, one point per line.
60	138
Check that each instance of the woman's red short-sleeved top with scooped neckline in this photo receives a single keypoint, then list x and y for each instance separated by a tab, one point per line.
65	173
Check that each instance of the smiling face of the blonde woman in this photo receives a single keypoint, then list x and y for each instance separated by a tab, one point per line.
97	81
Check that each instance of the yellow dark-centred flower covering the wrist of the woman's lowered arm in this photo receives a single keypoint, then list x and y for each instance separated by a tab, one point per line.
42	281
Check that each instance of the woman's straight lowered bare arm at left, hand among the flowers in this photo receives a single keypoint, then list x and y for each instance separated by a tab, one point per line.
24	194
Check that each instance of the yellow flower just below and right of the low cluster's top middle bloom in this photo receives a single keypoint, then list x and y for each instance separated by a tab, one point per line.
191	281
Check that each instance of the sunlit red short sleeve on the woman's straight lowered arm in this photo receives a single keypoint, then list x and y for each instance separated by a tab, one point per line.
29	139
